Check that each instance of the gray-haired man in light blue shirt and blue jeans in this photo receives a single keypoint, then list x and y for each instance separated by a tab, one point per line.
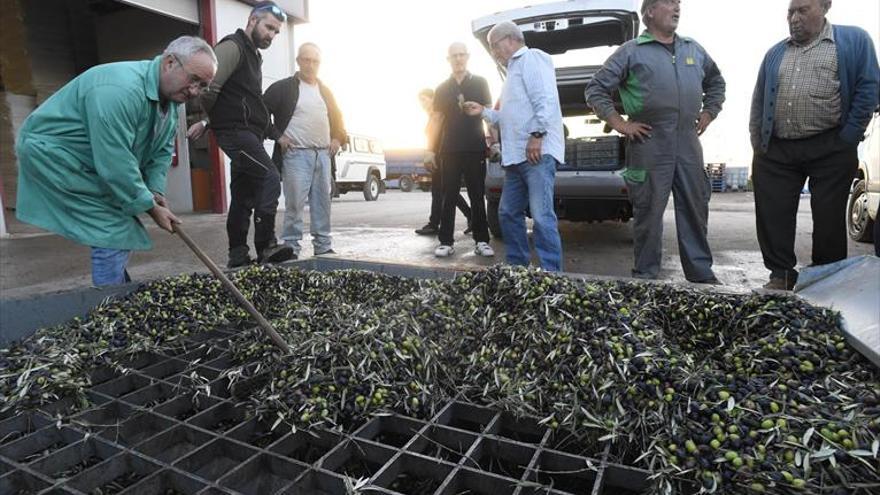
530	120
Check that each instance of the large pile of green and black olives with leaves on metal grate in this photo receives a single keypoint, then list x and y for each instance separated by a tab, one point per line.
725	393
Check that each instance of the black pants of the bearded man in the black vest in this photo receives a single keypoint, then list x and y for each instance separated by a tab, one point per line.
255	186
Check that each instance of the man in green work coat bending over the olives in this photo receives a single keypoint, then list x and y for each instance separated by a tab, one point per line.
95	155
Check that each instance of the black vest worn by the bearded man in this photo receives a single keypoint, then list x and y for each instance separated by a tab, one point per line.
240	102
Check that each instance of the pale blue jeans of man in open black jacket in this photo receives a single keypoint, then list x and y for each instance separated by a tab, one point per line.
306	177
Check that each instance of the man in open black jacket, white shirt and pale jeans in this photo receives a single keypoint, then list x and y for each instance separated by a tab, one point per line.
308	130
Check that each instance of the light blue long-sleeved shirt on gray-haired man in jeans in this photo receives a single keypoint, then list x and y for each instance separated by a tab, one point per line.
529	103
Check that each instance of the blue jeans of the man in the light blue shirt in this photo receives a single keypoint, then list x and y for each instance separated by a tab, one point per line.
530	186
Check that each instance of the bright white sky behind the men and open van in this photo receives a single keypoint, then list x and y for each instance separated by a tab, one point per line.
377	55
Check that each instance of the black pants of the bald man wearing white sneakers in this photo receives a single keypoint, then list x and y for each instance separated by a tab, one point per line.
471	166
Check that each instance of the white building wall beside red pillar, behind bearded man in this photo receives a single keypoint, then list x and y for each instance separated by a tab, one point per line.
278	59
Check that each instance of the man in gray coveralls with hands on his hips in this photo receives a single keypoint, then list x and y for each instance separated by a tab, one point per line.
671	90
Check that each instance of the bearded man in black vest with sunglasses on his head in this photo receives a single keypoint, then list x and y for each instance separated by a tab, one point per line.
240	122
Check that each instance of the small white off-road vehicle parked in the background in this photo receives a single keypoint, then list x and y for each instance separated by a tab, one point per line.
360	166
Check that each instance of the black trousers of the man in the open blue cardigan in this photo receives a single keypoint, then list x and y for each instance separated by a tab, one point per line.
778	176
